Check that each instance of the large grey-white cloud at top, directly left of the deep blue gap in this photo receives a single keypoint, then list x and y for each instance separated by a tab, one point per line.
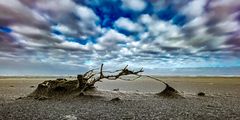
61	11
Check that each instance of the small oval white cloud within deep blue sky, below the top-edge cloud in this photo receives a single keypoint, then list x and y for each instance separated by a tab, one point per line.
126	24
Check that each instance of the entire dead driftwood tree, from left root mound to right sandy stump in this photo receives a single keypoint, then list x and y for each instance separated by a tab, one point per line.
87	81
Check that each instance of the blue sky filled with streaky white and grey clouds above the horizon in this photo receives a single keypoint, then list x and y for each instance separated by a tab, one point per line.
54	37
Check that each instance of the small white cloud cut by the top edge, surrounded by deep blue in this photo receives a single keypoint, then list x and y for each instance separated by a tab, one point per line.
136	5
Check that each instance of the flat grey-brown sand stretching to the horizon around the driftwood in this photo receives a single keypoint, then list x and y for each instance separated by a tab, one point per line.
222	100
